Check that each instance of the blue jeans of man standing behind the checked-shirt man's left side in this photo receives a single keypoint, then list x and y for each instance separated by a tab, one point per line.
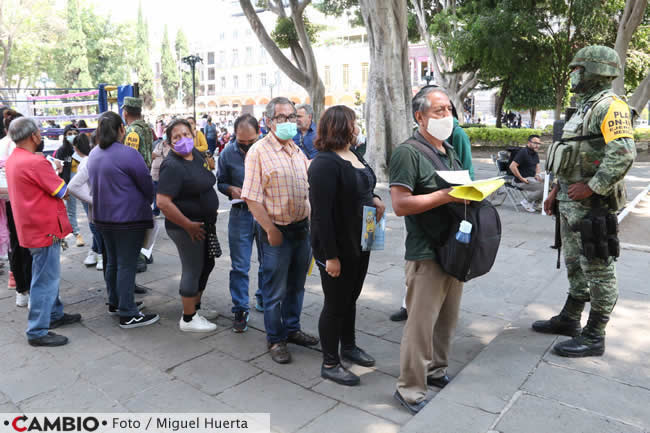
242	232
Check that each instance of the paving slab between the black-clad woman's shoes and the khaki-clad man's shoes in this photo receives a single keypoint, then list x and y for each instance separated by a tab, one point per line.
374	395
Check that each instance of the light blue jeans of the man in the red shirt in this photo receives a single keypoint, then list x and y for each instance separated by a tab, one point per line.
46	305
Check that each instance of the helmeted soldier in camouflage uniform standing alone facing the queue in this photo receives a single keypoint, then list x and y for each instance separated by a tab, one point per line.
593	179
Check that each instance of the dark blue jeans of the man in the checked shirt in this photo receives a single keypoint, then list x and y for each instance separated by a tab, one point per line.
284	270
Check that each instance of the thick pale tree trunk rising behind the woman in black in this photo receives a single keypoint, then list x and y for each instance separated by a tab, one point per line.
389	117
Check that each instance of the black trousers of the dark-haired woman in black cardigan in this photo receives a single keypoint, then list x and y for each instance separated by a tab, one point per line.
337	319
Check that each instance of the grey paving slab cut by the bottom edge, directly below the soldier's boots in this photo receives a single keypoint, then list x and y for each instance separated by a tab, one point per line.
535	415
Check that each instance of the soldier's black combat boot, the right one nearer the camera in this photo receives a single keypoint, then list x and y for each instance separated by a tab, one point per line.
590	343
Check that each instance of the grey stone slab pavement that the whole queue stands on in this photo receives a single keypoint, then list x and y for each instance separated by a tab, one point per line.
505	378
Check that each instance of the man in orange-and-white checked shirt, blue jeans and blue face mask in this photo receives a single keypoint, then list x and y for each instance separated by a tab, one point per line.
276	192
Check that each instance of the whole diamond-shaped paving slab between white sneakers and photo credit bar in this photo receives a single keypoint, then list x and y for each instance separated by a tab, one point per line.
214	372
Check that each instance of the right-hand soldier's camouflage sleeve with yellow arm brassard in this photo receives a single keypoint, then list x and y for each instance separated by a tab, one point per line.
613	120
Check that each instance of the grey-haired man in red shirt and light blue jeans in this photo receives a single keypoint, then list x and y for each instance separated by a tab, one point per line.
36	194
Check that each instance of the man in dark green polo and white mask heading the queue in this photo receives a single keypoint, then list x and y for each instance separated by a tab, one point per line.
433	296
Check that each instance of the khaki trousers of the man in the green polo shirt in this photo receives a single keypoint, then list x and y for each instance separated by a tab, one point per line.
433	302
